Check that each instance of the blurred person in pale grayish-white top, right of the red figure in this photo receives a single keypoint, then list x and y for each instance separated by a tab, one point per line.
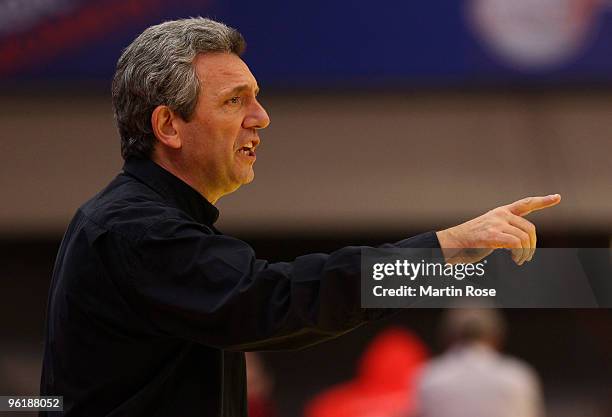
472	378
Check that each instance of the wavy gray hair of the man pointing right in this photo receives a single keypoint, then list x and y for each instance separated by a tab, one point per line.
157	69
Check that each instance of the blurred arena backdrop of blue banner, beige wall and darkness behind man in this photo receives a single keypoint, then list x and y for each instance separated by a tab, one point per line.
388	119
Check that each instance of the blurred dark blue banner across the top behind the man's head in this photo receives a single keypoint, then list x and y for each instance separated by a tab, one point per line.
325	44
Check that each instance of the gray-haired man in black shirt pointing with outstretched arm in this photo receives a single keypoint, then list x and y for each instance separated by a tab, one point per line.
151	307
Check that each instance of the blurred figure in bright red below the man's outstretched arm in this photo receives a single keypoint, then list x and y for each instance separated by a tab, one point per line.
385	382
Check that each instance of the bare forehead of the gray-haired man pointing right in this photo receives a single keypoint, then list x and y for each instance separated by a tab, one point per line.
221	71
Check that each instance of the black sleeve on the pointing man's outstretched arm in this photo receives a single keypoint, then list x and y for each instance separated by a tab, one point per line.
213	290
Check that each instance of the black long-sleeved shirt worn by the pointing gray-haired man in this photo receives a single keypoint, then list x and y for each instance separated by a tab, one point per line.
150	307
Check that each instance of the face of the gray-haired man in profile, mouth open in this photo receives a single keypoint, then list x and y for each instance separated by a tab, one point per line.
220	140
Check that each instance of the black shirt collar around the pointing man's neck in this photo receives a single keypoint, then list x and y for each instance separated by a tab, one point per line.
173	189
